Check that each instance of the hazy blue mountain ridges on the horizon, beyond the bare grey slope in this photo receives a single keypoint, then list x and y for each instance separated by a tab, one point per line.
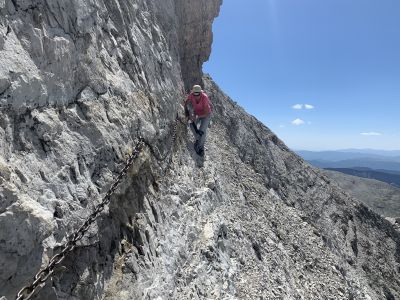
366	163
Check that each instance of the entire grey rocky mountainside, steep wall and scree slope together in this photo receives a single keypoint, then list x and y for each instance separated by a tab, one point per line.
79	82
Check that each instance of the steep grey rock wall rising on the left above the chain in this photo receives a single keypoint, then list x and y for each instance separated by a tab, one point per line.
79	81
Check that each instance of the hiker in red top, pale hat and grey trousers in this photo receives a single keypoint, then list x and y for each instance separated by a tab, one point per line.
198	111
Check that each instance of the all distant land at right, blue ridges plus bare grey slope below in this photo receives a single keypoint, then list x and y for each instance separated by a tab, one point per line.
372	176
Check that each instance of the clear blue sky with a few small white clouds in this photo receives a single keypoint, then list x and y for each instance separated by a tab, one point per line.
340	57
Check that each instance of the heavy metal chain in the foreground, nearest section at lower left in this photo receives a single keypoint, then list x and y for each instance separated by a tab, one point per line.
41	277
